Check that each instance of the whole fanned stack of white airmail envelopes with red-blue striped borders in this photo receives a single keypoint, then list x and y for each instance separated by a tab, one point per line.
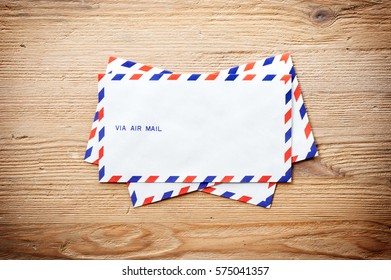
233	133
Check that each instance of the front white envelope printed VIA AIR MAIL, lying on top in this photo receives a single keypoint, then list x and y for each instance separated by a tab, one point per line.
162	127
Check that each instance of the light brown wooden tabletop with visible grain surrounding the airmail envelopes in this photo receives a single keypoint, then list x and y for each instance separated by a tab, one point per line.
51	204
